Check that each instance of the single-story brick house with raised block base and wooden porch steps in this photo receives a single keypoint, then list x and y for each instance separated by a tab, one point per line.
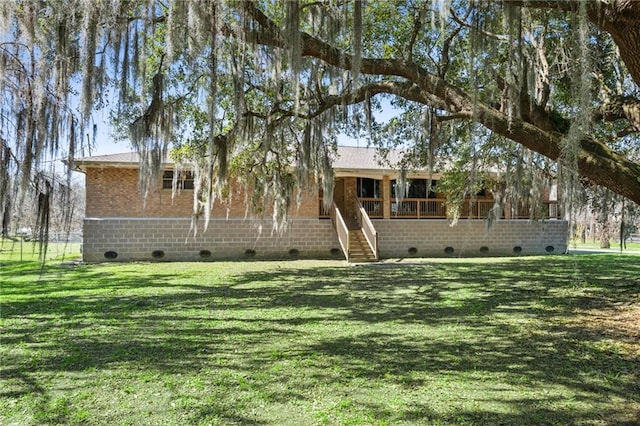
366	221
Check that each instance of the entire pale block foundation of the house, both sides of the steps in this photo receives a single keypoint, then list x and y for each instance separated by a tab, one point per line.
169	239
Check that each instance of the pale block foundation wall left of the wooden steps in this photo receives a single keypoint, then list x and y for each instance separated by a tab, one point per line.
137	238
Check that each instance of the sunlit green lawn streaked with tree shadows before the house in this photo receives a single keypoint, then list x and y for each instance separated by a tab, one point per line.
510	341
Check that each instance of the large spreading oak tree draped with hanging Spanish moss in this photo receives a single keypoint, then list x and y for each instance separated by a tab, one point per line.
249	88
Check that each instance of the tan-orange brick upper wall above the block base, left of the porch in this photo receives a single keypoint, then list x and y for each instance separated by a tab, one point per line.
113	192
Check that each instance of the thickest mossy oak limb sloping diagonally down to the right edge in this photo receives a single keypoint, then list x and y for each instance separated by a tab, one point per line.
596	161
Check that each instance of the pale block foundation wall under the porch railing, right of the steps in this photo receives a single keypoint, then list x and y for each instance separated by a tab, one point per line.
432	237
